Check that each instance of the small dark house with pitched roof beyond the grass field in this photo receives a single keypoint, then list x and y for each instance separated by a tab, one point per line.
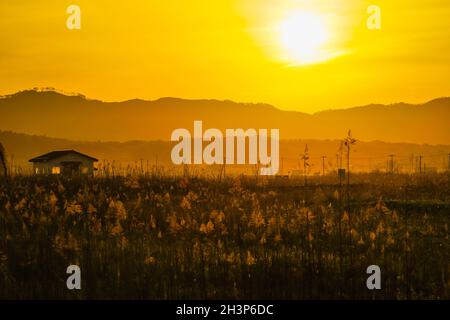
66	162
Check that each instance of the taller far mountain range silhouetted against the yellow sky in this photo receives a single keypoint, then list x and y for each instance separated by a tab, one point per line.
75	117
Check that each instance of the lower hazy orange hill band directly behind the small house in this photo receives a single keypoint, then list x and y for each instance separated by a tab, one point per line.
365	155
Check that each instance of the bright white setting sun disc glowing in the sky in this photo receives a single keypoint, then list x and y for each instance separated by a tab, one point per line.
303	38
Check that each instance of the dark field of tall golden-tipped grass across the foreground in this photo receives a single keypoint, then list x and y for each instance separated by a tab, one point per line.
166	237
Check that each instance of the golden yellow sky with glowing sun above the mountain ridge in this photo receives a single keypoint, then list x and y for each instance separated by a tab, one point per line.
243	50
